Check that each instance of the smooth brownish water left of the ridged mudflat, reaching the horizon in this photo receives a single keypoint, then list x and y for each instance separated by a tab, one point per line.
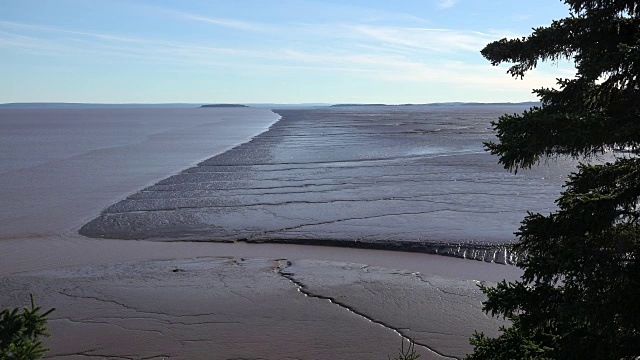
60	167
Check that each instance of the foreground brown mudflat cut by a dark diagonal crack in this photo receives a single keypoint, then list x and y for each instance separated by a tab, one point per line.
230	307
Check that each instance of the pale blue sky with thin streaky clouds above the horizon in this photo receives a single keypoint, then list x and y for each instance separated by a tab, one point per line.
266	51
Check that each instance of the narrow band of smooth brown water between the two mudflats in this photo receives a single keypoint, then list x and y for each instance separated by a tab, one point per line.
28	255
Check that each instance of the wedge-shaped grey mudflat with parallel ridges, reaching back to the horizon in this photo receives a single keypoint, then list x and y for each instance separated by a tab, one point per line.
406	178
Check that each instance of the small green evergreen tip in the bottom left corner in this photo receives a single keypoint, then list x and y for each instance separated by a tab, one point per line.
20	332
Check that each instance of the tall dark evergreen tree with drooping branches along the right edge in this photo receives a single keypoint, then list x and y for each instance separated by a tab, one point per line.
579	297
